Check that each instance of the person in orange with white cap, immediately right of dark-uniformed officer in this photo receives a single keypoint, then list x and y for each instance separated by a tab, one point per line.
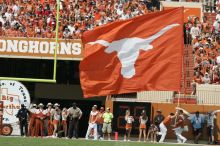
31	126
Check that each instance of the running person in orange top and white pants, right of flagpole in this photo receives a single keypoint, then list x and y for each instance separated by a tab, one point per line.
178	127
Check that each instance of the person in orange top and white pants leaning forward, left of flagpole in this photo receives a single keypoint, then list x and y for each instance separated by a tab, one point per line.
163	128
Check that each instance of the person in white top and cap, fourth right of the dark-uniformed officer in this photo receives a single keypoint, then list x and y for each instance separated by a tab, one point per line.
56	116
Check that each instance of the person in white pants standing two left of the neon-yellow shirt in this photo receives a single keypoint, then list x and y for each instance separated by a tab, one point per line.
92	123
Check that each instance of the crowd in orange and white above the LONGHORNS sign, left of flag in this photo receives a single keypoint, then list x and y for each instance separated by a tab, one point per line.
37	18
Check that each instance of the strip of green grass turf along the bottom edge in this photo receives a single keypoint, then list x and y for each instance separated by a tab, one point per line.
19	141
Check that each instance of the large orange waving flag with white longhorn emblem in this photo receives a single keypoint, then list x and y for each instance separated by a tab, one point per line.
139	54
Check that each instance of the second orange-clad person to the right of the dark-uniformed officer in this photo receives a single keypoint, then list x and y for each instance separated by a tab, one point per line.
40	116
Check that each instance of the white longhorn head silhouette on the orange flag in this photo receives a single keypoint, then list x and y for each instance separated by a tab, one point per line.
128	49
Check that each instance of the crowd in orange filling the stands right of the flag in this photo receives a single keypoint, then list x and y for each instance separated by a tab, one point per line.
206	49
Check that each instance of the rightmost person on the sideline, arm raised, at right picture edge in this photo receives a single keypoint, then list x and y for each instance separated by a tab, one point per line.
210	120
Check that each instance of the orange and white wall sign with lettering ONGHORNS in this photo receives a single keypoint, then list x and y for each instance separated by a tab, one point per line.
40	48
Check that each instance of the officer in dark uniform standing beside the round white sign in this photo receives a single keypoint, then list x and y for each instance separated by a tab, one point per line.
22	115
